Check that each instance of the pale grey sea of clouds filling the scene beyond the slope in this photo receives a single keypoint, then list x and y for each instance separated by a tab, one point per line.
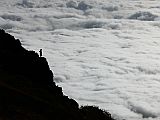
102	52
